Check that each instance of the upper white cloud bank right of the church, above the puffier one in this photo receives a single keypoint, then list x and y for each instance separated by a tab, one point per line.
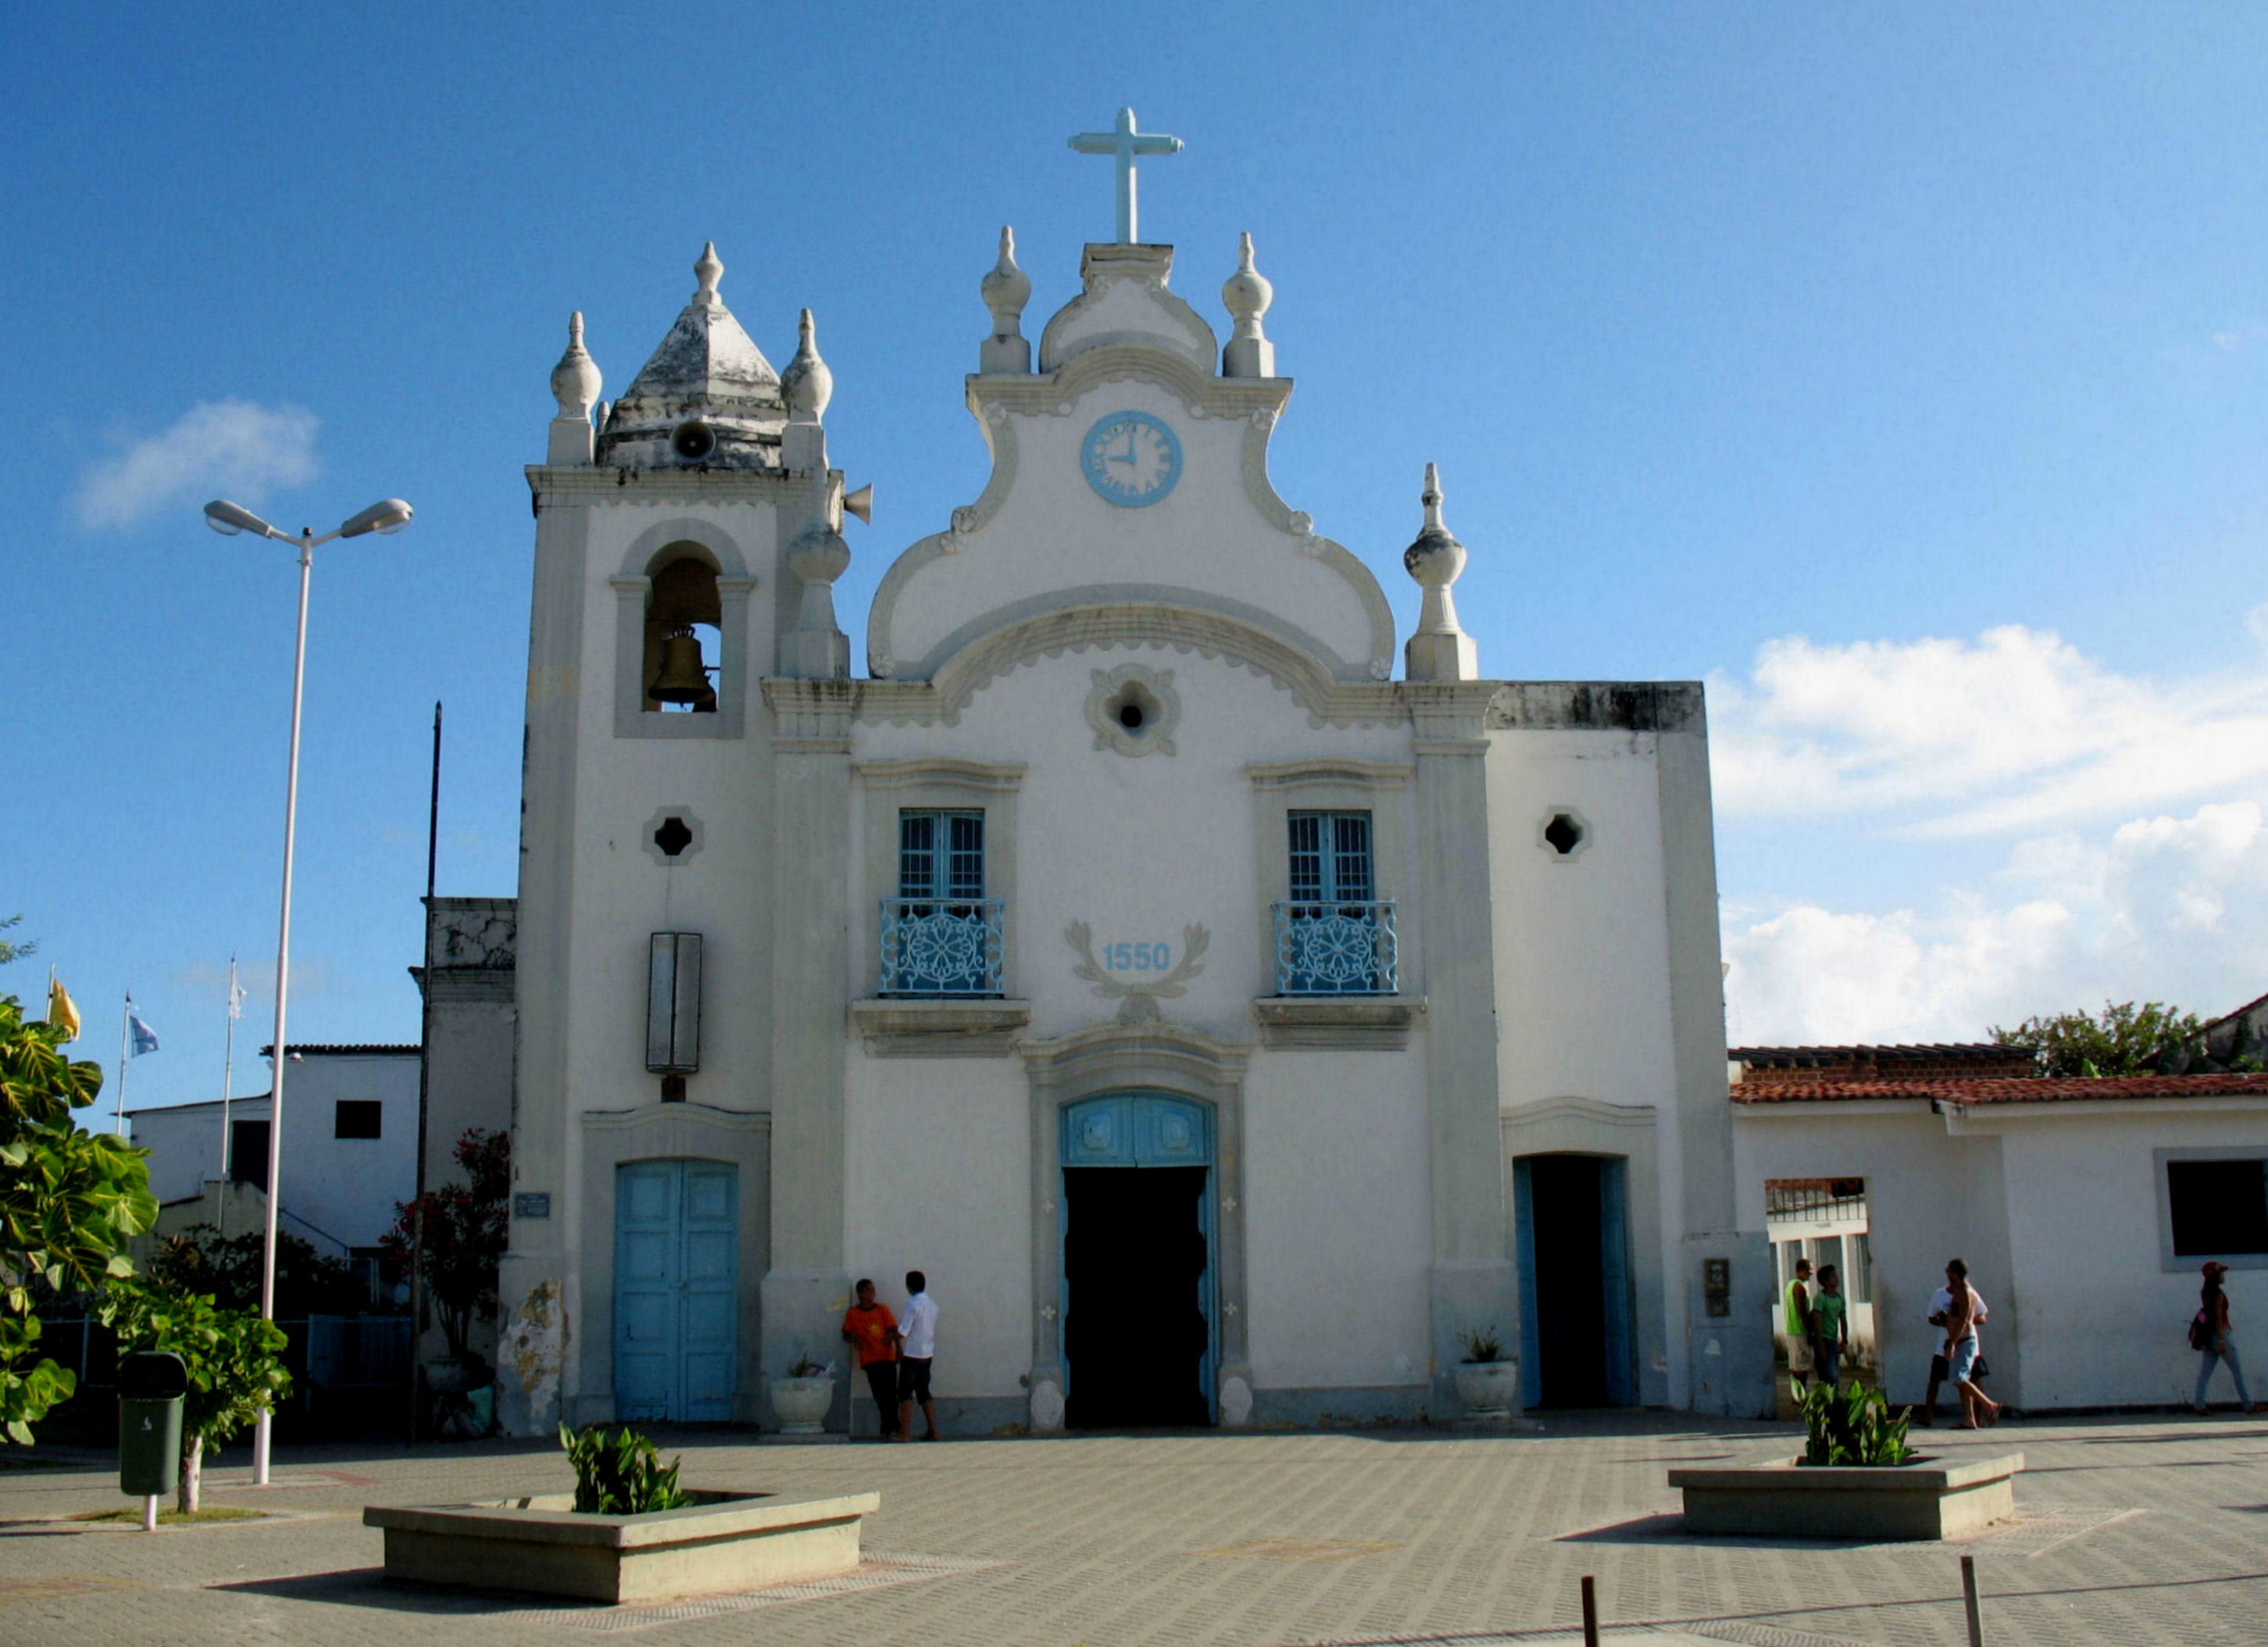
2015	729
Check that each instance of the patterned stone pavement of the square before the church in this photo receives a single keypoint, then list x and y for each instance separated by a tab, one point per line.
2131	1532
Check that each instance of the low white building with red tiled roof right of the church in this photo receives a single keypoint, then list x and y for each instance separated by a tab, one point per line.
2085	1210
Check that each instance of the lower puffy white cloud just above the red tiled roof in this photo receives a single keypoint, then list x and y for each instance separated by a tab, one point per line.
2165	909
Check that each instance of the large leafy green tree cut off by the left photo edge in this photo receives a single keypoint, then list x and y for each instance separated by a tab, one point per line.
69	1203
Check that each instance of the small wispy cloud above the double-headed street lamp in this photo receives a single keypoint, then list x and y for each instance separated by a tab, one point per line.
223	446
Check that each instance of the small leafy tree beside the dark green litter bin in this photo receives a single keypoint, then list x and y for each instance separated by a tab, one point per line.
235	1362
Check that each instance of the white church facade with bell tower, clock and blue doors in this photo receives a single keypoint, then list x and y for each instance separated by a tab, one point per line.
1226	1002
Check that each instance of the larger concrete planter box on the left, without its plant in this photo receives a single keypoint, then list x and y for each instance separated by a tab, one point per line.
720	1544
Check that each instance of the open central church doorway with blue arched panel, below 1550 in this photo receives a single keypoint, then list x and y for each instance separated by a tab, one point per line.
1140	1231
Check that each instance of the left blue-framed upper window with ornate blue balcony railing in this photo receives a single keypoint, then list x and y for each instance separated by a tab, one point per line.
942	936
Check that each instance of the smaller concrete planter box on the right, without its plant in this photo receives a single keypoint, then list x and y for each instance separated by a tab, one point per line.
1927	1498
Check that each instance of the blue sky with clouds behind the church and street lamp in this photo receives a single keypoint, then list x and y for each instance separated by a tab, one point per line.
1902	375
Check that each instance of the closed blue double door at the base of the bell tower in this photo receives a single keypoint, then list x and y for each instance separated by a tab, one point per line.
677	1299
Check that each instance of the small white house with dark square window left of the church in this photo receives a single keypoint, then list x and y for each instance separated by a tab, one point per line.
350	1145
